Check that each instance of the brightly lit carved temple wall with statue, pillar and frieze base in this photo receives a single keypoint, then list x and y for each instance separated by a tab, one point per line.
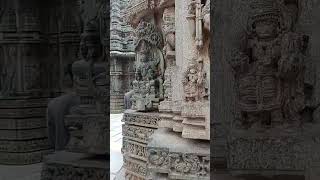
170	89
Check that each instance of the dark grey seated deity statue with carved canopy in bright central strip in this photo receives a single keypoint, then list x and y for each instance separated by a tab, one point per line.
148	83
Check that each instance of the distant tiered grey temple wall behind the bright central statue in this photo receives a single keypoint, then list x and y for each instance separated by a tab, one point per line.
122	56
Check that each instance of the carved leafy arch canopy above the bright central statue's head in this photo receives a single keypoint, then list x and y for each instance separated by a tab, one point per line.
147	32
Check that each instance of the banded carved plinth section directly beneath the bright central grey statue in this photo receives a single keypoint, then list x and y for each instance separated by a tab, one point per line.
136	131
